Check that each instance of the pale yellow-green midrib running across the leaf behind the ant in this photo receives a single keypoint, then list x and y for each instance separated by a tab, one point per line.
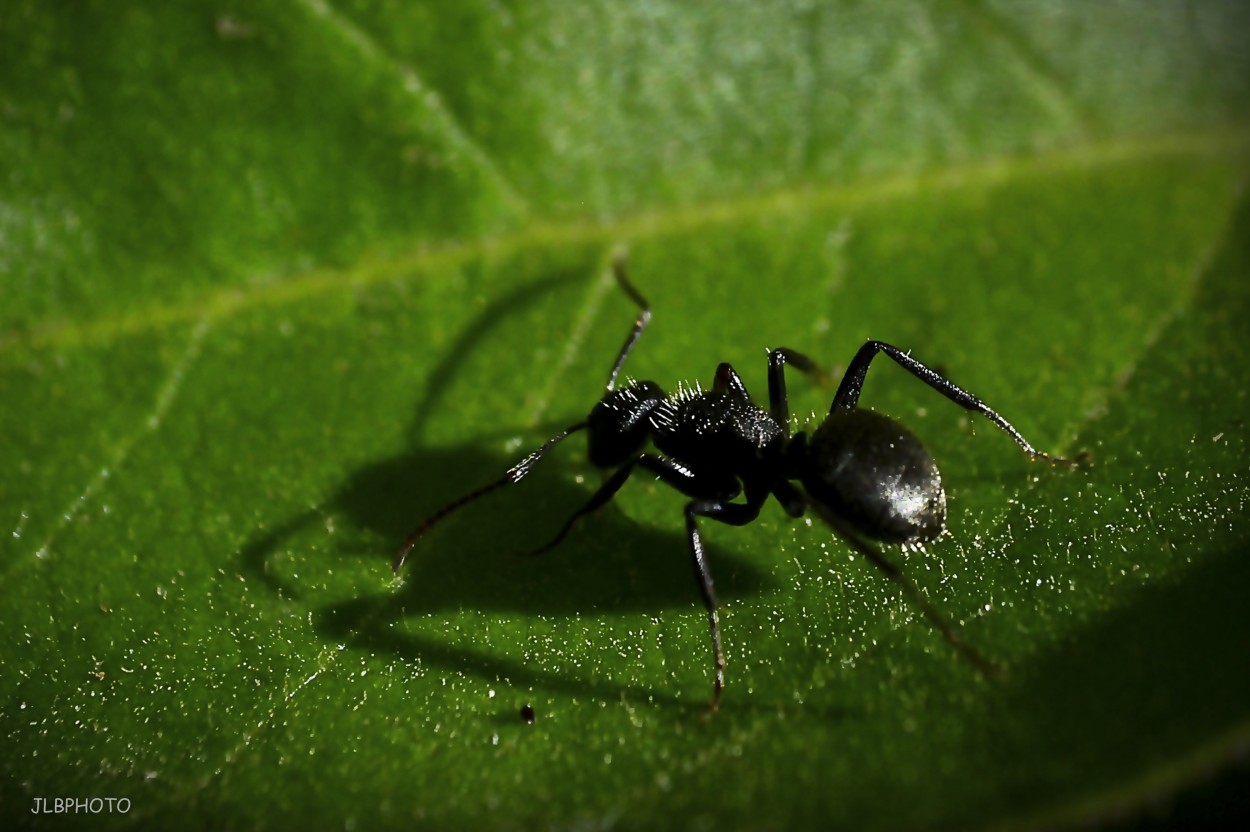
268	292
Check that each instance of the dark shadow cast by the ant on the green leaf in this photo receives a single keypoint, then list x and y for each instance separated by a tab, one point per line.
608	565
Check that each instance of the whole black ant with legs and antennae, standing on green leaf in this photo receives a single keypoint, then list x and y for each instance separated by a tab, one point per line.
863	473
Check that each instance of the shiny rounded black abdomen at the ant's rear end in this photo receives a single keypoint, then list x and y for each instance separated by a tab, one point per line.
873	474
